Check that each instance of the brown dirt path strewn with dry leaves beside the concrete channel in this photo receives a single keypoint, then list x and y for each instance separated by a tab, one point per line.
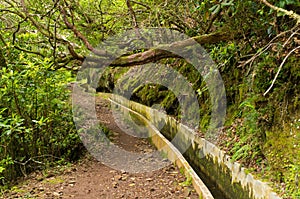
89	179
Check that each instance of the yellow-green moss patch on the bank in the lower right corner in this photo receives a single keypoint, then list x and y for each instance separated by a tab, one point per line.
283	155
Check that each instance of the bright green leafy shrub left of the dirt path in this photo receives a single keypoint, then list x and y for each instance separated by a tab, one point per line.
36	125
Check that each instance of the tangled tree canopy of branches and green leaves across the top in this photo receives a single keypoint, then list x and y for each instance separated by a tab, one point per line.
66	30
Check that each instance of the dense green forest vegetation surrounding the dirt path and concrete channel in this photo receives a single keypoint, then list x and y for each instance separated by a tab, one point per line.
43	44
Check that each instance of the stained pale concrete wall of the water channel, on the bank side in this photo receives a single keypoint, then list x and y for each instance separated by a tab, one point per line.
228	176
